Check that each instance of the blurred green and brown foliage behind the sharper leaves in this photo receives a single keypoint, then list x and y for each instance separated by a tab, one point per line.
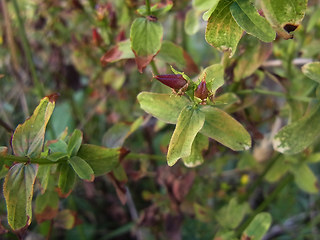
66	40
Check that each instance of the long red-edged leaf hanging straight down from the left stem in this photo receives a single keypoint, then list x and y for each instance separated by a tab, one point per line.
18	193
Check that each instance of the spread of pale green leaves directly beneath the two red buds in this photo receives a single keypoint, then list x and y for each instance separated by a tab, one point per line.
191	121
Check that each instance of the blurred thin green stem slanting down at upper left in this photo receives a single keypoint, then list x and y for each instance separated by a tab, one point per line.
27	50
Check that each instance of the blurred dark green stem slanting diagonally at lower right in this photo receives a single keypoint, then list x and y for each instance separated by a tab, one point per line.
286	180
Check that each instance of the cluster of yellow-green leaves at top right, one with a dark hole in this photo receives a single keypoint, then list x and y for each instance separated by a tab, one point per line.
228	19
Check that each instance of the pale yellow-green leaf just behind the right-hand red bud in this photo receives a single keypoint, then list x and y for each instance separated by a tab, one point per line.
213	76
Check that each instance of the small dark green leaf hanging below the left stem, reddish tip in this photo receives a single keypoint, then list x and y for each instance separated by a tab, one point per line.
67	178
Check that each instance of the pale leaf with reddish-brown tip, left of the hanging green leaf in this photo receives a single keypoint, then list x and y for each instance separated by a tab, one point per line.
119	52
